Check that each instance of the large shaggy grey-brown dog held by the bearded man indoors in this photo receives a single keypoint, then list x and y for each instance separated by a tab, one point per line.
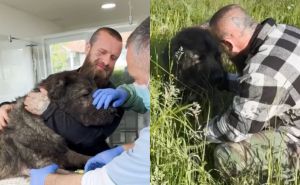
28	143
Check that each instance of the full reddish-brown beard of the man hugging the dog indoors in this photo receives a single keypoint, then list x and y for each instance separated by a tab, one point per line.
90	70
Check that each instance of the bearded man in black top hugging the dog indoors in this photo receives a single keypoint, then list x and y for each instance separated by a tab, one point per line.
102	51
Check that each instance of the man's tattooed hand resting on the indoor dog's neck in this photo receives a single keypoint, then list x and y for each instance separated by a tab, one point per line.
37	102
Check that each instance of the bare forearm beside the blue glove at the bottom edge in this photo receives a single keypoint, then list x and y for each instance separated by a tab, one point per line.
58	179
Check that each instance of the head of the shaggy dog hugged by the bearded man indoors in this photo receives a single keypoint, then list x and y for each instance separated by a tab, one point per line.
72	92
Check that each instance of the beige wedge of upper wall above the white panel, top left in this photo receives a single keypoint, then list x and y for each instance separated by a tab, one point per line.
20	24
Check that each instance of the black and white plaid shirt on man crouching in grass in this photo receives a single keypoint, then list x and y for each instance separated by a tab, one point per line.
269	87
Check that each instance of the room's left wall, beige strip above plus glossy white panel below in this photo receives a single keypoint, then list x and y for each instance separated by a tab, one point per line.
16	66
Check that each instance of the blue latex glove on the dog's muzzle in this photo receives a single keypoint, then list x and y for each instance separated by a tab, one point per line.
104	97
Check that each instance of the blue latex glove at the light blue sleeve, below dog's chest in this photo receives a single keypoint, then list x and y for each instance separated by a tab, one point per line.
102	158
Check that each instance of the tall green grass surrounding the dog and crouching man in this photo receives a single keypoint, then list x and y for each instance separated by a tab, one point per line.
179	155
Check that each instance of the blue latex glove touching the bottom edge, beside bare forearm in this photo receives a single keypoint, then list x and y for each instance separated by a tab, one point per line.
38	176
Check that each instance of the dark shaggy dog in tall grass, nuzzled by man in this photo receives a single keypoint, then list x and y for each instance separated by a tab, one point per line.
194	58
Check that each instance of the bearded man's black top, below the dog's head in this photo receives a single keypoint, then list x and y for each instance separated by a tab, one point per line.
88	140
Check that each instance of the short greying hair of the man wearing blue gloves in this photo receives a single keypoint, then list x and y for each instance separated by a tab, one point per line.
140	37
